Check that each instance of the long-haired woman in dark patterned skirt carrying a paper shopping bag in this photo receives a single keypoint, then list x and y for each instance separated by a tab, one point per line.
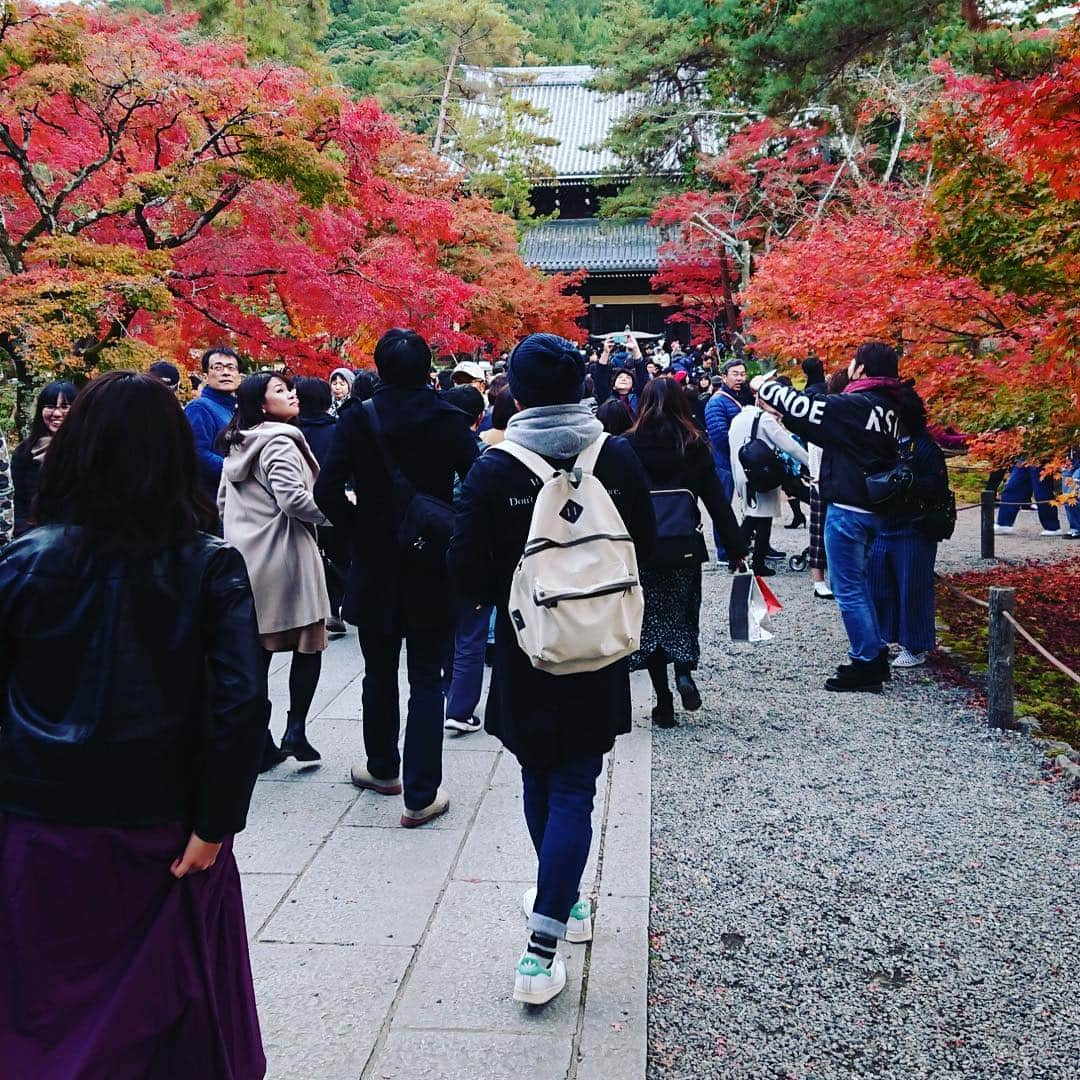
680	465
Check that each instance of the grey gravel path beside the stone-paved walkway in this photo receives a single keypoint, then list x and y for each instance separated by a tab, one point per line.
857	885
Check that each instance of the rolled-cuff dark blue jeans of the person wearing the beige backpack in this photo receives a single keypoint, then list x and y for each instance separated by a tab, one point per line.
559	812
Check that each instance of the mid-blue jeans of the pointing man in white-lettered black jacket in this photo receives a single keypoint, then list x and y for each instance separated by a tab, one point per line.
849	538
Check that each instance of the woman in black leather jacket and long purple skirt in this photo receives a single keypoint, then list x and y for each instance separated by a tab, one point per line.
130	742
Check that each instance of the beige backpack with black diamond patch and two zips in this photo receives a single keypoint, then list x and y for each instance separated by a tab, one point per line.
575	600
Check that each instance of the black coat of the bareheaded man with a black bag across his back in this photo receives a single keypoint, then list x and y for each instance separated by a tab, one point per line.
431	443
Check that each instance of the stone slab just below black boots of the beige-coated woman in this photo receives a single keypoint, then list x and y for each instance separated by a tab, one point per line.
288	823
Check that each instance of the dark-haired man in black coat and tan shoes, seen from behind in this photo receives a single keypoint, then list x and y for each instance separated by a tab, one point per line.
391	595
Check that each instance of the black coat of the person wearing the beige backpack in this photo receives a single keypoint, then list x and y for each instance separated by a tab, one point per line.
544	720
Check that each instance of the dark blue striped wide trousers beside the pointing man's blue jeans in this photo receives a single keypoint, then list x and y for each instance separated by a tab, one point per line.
902	585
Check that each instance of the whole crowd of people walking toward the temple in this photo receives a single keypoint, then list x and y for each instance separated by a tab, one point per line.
166	556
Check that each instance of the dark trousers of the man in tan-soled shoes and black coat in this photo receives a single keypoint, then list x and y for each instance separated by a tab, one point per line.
425	653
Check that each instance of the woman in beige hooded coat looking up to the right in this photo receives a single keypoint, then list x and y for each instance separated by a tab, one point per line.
269	514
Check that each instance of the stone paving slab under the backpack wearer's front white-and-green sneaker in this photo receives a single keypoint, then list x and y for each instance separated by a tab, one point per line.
464	976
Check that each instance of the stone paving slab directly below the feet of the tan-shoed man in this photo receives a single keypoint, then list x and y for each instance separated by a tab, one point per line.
369	887
